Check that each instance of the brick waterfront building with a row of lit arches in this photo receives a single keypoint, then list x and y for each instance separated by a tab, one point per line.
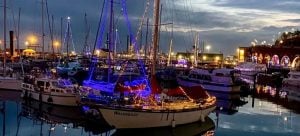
285	52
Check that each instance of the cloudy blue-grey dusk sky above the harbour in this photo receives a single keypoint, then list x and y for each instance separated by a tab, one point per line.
222	24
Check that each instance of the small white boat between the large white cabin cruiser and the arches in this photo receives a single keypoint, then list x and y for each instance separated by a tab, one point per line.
249	70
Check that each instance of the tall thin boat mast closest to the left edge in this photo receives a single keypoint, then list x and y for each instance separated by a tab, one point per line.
4	38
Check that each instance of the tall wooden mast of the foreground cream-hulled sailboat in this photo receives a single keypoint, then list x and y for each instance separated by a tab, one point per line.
155	34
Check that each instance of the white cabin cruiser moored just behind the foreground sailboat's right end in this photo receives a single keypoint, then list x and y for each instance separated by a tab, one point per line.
219	80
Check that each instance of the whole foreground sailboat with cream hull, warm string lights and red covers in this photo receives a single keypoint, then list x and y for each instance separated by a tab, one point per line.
137	109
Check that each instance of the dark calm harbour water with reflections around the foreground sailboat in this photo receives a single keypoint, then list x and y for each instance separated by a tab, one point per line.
264	112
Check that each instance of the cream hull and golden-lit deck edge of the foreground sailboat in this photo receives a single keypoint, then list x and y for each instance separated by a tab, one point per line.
156	116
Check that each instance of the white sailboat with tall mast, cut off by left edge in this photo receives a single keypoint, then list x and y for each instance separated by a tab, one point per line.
7	83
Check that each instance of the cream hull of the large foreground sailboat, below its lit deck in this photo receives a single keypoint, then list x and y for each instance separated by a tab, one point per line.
128	118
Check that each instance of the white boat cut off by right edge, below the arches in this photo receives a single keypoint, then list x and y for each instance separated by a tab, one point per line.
292	85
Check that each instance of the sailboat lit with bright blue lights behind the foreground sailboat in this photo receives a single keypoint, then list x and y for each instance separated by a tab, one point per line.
107	80
